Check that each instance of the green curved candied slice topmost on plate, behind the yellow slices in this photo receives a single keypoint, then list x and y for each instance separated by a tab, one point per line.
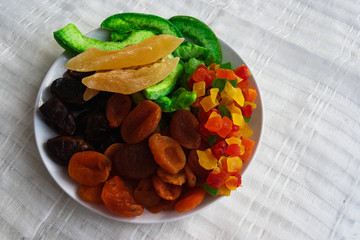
128	22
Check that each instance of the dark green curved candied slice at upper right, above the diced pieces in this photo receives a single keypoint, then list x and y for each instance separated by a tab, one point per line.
200	33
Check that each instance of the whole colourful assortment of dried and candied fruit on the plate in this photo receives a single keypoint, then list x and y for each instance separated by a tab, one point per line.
165	148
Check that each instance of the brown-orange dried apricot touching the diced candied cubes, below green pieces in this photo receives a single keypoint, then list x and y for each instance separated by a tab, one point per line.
185	129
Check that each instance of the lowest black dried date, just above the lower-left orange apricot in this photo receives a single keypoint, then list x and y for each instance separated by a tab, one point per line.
61	148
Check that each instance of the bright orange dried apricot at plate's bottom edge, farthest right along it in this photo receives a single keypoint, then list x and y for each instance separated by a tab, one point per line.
190	200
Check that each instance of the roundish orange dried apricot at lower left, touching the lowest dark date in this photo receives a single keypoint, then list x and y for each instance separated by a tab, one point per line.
89	168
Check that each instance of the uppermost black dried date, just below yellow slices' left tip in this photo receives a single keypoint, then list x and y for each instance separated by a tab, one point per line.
69	91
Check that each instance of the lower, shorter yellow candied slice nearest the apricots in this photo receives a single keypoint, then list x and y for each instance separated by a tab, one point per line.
129	81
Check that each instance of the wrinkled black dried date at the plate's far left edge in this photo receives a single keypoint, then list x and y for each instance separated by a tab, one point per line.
58	116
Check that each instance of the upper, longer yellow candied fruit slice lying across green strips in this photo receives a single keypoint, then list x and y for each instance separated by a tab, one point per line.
145	52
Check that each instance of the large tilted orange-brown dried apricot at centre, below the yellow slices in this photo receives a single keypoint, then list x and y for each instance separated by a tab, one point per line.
141	122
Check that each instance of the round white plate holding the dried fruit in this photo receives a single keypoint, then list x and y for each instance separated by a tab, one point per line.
43	132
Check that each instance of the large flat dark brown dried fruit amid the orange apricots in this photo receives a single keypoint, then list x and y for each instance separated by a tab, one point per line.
134	161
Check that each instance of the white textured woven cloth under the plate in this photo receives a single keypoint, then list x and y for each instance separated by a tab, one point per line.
304	183
